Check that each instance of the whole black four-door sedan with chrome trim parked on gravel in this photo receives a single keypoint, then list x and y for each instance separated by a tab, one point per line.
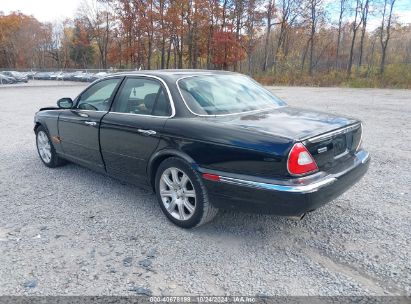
205	140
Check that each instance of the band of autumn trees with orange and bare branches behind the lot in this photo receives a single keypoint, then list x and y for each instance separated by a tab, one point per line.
313	42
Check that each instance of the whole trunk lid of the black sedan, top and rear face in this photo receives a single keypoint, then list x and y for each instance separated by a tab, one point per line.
328	137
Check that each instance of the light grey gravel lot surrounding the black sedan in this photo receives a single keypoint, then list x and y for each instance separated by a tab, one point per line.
71	231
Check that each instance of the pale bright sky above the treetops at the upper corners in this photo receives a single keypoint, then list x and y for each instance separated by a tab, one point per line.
58	10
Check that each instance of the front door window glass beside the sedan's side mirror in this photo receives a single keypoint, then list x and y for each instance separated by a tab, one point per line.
97	97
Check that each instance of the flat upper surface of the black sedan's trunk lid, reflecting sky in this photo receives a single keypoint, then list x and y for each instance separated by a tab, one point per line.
286	122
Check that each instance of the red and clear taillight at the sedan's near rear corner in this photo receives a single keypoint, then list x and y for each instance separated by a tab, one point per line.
300	160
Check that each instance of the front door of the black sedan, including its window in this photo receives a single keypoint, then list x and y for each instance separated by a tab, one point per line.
79	127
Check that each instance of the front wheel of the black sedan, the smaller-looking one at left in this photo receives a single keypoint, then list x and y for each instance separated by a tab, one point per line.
46	150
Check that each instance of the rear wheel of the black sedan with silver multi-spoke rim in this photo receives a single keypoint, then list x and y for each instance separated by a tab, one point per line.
185	203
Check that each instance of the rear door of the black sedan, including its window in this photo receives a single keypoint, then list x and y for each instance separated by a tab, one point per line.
131	131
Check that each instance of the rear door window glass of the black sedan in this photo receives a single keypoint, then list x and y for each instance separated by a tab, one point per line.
142	96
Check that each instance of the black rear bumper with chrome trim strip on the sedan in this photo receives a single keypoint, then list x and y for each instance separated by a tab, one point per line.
286	197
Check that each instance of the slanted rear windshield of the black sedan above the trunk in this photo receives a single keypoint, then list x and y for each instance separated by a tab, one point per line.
225	94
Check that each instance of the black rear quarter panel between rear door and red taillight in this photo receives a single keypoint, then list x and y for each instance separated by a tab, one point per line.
227	149
